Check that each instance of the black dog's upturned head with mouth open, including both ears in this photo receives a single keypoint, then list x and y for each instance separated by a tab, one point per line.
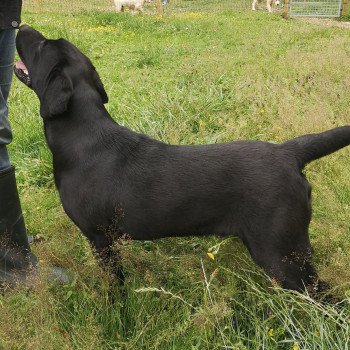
54	69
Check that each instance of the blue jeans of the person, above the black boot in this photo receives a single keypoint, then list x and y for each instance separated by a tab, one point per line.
7	53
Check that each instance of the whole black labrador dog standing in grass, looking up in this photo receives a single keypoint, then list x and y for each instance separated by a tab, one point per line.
113	181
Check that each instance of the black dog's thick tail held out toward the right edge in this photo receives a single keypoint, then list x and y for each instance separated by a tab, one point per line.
313	146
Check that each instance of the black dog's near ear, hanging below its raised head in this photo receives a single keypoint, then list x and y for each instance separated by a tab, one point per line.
55	98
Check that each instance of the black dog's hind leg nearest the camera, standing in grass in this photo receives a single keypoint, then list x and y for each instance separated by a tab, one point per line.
281	246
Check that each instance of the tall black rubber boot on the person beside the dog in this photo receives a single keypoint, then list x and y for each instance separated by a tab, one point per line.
16	260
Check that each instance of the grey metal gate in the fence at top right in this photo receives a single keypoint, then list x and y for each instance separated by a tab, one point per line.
315	8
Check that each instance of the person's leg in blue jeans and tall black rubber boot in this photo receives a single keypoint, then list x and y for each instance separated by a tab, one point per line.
15	255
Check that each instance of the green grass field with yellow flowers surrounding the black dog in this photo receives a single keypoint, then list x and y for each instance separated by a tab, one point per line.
188	78
